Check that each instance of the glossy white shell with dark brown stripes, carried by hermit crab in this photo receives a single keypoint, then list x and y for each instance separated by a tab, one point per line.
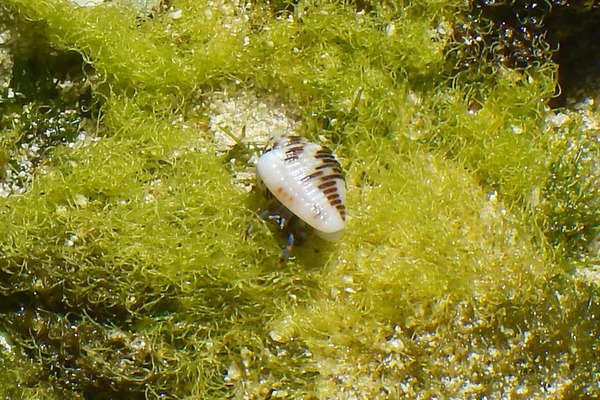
307	179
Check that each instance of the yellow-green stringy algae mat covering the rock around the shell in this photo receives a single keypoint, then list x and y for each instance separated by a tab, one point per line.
125	268
